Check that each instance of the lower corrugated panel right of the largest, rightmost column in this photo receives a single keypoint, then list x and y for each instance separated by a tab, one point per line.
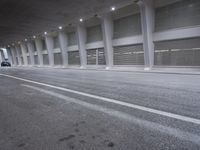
178	52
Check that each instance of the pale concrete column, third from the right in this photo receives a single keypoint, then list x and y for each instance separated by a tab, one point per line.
82	37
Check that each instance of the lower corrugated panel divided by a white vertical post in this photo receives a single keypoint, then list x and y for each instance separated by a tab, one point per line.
96	57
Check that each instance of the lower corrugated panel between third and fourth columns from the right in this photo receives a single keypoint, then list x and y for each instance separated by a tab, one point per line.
74	58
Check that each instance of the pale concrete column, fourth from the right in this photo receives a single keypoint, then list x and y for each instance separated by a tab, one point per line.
63	46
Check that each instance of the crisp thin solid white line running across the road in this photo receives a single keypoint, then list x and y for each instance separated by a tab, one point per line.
143	108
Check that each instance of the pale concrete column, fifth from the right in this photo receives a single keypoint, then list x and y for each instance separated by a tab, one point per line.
49	43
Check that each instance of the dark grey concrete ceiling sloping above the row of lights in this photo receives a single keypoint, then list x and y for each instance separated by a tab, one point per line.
20	19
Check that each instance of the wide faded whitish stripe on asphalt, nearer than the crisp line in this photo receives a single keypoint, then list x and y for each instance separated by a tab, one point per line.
182	135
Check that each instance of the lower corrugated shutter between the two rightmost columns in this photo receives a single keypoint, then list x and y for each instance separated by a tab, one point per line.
128	55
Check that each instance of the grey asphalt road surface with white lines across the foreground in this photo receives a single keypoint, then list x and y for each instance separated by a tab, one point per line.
38	116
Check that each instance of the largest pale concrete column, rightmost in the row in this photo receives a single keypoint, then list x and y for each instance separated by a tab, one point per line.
148	22
